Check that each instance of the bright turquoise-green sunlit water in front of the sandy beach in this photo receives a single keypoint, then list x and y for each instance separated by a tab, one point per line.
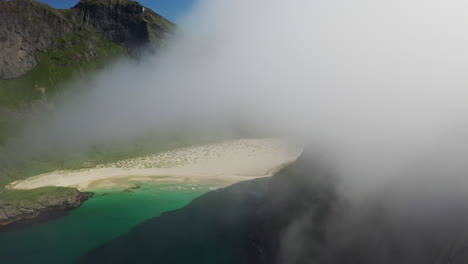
107	215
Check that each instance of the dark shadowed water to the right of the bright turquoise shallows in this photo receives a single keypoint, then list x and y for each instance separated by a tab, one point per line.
209	230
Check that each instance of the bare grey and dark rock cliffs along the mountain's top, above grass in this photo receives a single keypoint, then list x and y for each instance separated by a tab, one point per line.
28	28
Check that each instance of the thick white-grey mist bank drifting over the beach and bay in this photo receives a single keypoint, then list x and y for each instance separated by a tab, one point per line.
377	87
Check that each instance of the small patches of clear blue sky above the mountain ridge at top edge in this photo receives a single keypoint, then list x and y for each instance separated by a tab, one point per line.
170	9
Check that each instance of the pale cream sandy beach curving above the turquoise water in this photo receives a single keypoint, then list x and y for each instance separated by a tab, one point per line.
223	163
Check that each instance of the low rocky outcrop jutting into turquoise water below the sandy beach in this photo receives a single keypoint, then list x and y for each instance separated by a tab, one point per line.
42	207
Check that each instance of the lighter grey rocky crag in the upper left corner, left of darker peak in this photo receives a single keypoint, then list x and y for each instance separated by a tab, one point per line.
27	27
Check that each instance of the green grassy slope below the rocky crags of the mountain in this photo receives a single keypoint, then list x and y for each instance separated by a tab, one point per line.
59	66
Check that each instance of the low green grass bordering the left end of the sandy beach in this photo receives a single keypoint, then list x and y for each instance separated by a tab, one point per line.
12	169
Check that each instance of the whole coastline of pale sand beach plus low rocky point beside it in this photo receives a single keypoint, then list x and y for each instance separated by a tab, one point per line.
222	164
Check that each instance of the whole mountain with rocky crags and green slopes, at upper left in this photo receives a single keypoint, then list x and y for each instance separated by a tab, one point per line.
41	47
